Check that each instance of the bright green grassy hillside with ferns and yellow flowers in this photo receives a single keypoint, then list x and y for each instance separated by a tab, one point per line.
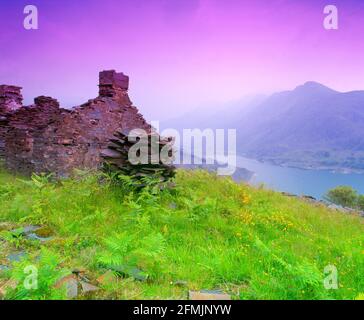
207	233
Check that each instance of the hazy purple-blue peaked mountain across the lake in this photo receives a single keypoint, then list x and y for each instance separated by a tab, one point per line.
311	126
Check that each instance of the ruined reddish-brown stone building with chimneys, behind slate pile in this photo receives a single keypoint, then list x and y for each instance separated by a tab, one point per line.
44	137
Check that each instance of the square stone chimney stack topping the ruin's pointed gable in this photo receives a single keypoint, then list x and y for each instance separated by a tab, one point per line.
113	84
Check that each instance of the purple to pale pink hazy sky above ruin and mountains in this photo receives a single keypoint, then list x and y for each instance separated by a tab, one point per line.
180	54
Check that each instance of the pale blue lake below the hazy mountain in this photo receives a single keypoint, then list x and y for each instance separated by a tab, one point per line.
298	181
